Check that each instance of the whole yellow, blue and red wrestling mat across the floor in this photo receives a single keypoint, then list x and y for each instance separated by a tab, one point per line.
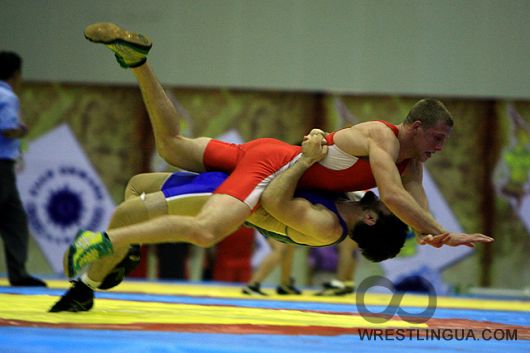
143	316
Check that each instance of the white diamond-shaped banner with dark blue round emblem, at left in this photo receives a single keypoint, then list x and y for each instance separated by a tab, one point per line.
61	193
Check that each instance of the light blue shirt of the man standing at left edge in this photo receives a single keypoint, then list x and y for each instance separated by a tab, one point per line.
9	119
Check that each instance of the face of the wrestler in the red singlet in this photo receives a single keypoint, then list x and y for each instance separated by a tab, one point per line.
430	140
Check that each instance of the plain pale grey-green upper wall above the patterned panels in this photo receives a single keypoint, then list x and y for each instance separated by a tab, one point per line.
475	48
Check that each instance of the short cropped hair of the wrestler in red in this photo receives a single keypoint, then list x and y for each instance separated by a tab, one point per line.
429	112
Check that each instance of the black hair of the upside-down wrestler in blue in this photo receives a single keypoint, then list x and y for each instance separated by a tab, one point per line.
381	241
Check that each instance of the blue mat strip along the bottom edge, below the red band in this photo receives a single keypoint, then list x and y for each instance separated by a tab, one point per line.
39	340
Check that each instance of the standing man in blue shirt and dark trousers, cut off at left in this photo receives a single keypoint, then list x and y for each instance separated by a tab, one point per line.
13	221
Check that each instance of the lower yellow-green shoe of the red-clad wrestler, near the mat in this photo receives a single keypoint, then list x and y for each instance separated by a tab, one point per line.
86	248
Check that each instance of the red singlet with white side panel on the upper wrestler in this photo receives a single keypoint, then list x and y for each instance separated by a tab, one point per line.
253	164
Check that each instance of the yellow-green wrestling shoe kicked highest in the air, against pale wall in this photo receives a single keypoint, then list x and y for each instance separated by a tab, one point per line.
129	48
